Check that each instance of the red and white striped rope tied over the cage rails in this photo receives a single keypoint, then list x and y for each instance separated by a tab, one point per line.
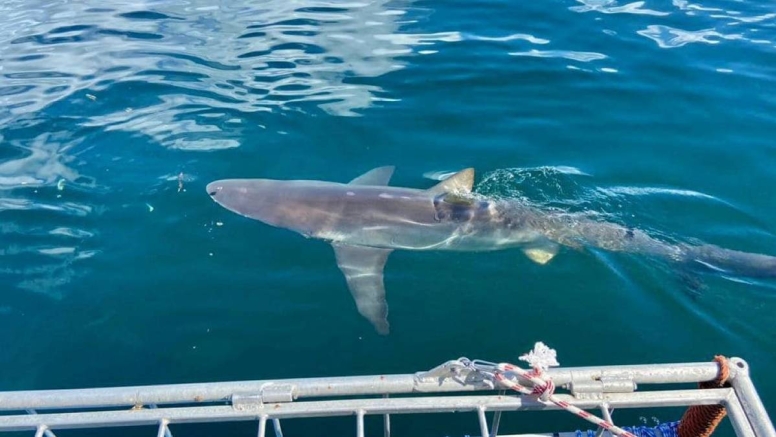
545	388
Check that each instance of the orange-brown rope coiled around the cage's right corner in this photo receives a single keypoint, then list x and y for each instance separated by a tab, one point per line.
702	420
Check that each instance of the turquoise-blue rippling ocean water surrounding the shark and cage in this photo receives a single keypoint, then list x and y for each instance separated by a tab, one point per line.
116	268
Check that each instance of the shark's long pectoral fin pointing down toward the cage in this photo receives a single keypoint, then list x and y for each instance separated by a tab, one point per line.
363	269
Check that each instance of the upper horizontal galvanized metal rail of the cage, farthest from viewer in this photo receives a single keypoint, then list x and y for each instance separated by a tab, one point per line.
326	387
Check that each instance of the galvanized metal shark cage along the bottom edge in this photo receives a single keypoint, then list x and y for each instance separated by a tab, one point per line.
450	387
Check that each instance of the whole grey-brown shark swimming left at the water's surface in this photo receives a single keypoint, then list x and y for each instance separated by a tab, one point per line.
365	220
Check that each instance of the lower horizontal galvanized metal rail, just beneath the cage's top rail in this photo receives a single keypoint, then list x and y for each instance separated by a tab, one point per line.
667	398
